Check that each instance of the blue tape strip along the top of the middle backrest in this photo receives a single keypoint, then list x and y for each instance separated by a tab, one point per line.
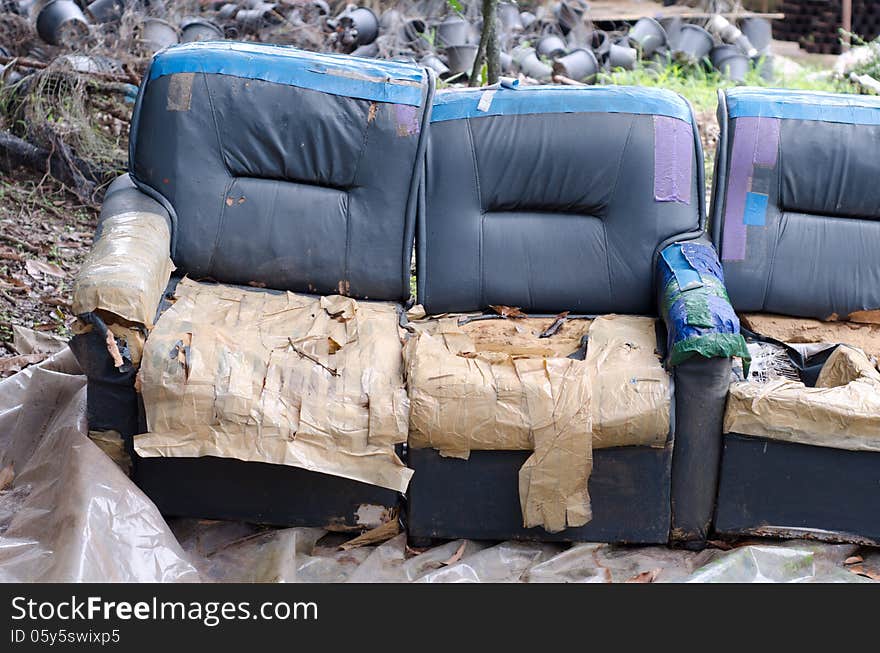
459	104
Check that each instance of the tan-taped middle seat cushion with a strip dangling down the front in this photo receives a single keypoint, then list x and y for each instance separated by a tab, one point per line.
469	390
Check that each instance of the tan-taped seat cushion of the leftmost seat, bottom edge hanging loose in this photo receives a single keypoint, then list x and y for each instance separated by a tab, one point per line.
277	377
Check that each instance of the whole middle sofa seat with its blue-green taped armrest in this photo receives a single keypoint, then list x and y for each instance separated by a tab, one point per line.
578	214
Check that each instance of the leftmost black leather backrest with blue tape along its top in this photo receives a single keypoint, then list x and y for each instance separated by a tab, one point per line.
285	168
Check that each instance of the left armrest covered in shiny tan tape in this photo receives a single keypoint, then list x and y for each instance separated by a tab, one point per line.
129	264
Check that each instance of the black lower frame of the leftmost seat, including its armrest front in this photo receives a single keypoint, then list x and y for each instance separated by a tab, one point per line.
223	488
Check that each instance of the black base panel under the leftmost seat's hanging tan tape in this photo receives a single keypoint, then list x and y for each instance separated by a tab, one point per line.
277	495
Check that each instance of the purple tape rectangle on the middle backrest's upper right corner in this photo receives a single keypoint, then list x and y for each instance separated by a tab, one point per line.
673	160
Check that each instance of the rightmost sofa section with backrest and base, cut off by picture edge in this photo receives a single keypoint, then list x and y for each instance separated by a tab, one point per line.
796	219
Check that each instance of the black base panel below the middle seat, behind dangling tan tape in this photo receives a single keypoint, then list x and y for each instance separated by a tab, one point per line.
478	498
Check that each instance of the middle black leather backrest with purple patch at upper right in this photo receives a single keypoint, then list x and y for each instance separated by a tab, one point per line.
554	198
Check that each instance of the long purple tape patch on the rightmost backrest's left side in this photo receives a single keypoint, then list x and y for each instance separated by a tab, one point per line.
755	142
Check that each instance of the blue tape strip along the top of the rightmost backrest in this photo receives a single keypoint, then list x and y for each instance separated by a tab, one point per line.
803	105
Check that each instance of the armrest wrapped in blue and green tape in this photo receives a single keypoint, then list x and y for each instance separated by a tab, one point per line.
695	306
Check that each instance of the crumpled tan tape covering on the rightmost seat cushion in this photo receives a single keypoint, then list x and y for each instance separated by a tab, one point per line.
841	412
